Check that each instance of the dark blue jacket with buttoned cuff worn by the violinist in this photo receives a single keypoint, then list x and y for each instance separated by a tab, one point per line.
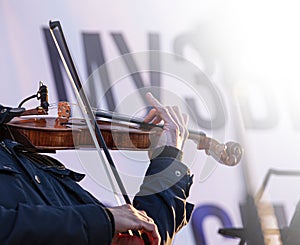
43	204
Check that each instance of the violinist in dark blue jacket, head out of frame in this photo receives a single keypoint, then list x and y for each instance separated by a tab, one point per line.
41	202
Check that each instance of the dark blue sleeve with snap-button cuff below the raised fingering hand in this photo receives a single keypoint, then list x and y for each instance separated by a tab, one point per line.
163	196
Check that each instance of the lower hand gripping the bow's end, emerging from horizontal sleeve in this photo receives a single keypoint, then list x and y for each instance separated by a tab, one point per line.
126	218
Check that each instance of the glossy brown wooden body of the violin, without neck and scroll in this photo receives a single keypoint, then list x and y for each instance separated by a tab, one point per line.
48	134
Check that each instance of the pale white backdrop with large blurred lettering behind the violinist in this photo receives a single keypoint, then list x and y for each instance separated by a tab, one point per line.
248	51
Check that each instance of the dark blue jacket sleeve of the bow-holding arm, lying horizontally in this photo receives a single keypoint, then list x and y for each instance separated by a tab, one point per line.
44	224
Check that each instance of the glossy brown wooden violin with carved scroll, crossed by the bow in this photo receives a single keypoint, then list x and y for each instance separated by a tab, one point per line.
48	134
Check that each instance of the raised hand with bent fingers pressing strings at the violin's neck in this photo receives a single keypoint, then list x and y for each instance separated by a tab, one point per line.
175	130
